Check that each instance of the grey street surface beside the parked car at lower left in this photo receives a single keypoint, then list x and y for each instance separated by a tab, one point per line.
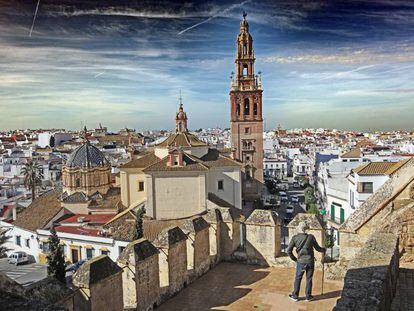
25	274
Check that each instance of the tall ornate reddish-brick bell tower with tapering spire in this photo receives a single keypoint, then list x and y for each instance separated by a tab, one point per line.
246	115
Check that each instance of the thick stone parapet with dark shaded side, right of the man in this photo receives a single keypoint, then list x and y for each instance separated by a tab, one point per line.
372	275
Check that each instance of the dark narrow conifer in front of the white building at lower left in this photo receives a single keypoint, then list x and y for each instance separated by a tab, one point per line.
55	258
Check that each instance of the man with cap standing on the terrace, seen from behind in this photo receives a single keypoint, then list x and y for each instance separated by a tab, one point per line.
304	244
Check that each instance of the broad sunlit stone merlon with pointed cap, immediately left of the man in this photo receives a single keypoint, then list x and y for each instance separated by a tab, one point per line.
263	234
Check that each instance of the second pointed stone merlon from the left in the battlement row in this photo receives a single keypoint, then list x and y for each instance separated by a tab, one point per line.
140	279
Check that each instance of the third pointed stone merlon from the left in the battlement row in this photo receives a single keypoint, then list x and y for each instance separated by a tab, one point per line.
172	261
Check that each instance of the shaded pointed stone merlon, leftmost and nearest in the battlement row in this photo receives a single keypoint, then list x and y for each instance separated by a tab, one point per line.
100	282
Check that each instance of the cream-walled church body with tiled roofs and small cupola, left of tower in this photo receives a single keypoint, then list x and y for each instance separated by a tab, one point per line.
180	176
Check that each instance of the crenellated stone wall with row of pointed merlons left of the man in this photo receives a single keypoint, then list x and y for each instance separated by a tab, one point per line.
149	273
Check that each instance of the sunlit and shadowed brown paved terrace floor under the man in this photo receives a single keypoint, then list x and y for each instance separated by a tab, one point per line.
241	287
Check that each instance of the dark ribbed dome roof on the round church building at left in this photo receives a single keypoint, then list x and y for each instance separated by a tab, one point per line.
87	156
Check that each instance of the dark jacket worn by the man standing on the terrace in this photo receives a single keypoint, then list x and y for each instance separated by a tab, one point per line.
304	243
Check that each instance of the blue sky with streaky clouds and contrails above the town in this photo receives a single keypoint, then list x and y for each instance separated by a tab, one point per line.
333	64
